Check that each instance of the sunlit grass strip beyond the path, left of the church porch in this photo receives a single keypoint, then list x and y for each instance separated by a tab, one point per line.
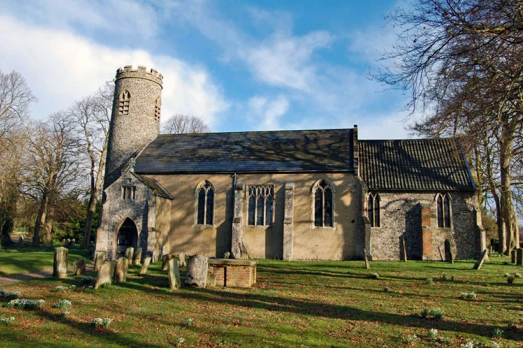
28	259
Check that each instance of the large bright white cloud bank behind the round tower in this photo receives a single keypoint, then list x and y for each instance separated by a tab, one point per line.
62	67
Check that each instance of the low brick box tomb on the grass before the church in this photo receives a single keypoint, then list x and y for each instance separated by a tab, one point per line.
232	273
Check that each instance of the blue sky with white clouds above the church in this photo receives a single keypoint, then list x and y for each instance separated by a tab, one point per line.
239	65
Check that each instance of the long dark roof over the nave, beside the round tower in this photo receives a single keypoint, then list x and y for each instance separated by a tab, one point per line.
249	152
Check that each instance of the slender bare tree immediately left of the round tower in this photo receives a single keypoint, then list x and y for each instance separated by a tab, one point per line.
92	115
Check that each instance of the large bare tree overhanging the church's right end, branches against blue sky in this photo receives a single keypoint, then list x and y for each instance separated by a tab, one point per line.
461	61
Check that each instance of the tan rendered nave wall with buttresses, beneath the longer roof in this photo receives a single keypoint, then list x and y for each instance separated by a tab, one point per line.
309	242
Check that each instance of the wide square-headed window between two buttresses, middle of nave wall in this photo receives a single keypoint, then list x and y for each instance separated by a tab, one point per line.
261	203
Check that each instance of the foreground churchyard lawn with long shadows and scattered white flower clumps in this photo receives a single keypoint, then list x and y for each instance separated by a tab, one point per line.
293	304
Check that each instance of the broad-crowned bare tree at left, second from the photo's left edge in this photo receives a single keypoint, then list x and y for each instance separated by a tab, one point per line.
50	169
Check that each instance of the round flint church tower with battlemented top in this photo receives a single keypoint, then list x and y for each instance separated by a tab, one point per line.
135	119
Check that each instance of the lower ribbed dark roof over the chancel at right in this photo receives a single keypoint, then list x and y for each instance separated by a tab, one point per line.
414	165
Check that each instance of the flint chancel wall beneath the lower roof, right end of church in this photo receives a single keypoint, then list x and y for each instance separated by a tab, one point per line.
401	218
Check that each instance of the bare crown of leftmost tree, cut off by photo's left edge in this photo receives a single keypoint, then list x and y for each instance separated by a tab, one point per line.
15	98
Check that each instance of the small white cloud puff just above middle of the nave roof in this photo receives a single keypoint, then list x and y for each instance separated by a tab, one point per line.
268	110
